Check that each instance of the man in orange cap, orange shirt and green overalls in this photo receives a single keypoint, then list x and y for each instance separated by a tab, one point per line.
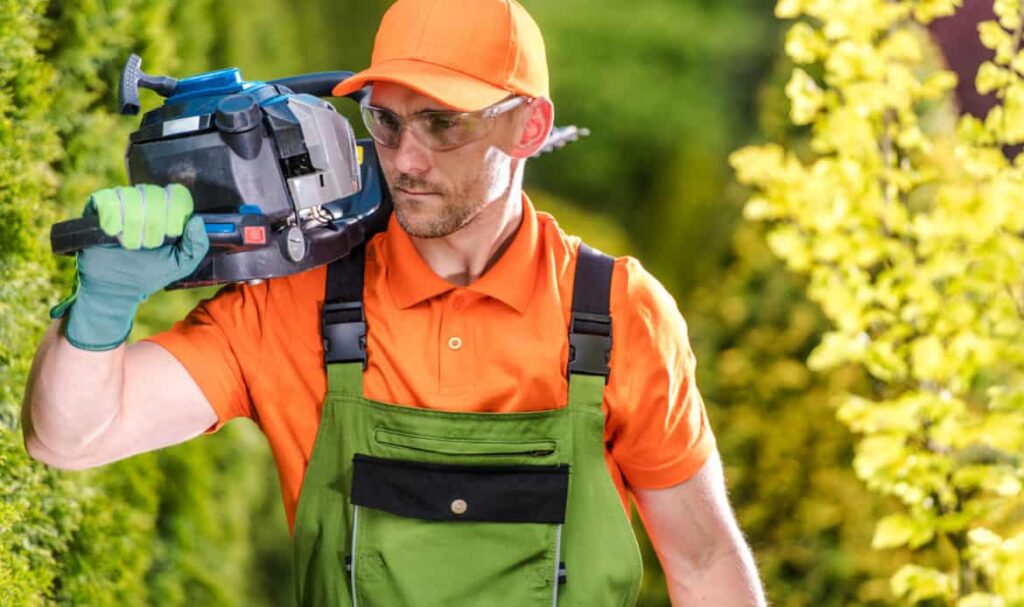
478	450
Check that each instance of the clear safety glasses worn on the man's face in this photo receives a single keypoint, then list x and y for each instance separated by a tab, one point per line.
439	131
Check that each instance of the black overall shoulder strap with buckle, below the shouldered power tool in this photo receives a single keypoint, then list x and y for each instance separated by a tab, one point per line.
344	324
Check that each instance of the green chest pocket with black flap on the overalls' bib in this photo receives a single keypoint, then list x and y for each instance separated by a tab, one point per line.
439	534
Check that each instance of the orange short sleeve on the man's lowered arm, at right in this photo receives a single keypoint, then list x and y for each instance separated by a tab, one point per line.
658	428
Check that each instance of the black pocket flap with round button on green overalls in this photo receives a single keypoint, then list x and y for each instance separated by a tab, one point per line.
461	493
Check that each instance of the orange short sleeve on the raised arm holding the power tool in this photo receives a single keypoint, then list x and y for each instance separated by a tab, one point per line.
220	344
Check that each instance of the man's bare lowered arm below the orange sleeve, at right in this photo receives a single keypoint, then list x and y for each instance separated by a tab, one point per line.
704	555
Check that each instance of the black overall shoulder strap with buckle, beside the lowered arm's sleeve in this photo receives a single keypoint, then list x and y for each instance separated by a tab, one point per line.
590	327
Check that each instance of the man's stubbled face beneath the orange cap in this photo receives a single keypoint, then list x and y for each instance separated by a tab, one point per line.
439	193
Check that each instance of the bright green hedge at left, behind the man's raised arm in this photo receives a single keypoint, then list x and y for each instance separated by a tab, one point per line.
167	529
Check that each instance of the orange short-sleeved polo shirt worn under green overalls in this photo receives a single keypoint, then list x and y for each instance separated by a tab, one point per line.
498	345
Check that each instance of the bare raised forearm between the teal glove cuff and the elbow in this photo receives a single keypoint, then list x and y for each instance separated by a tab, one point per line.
64	417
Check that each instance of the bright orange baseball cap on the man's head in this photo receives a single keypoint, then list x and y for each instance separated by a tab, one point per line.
465	54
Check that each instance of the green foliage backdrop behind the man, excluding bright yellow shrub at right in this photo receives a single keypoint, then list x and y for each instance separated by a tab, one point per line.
668	89
